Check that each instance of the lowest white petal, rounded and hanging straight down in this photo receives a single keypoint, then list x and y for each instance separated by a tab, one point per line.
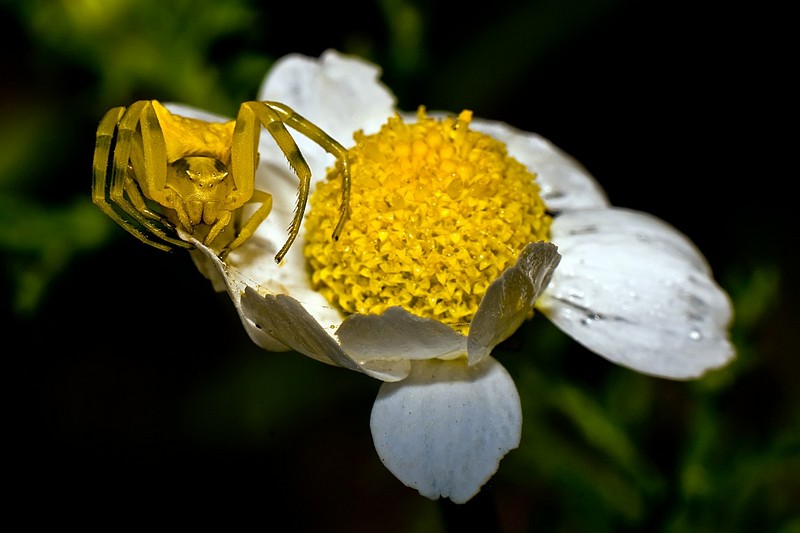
445	428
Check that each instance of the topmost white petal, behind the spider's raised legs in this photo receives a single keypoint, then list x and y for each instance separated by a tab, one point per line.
340	94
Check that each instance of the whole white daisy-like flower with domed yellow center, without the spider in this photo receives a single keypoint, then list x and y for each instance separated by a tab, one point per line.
459	228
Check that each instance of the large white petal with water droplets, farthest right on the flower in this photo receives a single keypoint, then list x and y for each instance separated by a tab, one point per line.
638	292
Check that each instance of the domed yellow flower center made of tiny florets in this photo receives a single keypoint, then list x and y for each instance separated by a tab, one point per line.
437	212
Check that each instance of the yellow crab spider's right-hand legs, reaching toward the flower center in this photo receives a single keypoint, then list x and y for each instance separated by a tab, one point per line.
274	117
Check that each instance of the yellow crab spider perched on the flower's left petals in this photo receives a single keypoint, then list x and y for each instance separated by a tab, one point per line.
154	170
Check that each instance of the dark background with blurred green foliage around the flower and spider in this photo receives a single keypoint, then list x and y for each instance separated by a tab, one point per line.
135	376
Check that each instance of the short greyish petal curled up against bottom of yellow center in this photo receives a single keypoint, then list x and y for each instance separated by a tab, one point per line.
397	334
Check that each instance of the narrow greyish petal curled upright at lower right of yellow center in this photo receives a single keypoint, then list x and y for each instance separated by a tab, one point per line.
510	298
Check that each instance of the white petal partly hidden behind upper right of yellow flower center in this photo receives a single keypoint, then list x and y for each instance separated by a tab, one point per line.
565	183
